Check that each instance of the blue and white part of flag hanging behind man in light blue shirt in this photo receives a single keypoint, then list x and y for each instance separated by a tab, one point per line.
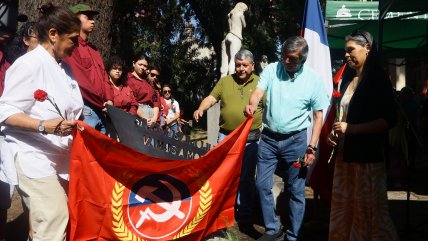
318	59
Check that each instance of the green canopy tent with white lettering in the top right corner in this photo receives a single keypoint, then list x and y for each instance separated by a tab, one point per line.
400	26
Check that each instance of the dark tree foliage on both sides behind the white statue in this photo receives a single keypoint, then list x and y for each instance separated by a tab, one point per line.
169	30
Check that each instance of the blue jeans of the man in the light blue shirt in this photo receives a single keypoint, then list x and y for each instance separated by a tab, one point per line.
288	150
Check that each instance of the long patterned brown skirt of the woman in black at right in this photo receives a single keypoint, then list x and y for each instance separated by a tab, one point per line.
359	205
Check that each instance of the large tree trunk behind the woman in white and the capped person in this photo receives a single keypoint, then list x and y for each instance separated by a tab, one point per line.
101	37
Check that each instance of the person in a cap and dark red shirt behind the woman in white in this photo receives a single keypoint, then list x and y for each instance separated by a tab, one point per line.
89	71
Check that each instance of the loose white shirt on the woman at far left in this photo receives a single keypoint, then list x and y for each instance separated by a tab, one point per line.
39	155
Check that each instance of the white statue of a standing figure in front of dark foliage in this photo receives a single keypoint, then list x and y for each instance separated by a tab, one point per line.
233	41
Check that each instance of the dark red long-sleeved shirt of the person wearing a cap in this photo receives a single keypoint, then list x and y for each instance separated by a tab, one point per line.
89	71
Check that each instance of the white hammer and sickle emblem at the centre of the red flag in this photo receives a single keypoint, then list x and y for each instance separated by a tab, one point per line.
171	209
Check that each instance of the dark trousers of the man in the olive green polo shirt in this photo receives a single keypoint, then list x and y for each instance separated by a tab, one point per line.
246	190
